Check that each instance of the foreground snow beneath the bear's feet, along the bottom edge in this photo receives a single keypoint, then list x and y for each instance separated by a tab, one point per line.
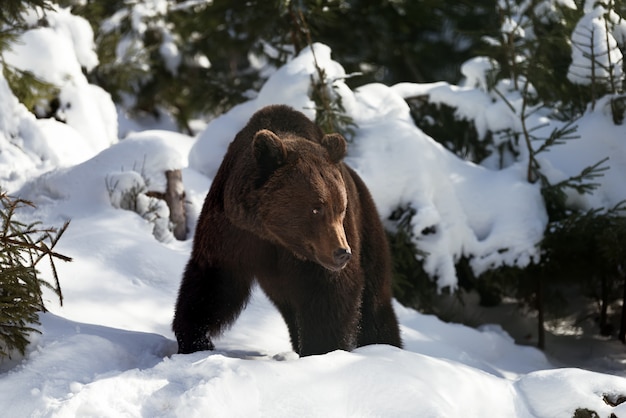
137	374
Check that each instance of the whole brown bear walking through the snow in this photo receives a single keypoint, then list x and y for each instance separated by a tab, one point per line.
285	210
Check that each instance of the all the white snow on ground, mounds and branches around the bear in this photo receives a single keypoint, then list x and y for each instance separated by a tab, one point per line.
109	350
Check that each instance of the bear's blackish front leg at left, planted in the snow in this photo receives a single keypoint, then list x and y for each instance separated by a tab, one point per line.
209	300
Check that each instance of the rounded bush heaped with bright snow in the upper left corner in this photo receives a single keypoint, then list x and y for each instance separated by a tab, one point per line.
53	47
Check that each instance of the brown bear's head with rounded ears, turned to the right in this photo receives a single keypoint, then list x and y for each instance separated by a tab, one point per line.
302	195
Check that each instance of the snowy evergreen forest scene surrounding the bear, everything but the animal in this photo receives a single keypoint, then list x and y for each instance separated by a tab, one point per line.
490	133
